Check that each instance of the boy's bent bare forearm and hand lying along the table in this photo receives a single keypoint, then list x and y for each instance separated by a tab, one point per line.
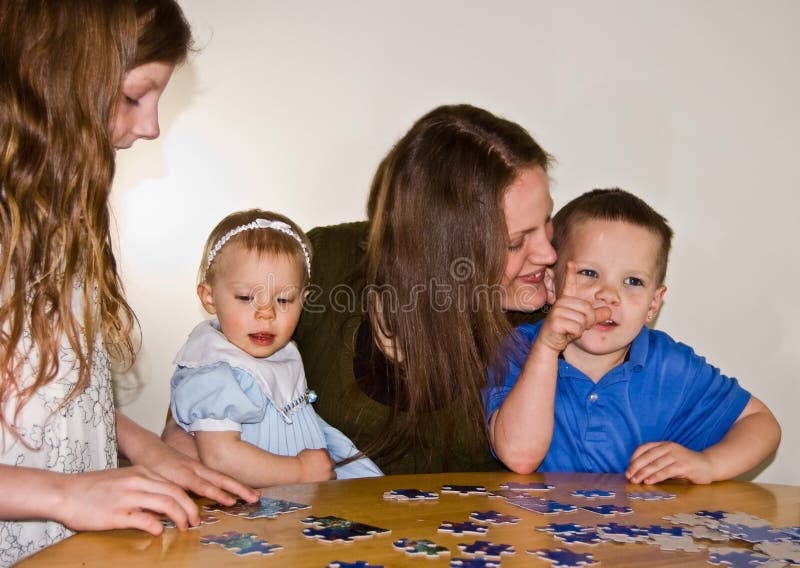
753	436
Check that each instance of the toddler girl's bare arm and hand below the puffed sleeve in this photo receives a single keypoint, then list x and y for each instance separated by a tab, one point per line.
227	452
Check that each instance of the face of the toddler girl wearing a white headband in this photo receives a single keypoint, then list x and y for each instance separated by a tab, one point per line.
257	299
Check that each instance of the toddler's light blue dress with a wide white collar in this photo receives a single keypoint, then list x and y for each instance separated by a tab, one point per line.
219	387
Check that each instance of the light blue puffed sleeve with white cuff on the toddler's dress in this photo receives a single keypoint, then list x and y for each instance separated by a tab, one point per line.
215	398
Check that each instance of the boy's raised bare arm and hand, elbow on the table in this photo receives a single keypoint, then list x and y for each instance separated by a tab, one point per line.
521	429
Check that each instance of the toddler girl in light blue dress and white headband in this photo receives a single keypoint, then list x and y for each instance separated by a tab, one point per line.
239	386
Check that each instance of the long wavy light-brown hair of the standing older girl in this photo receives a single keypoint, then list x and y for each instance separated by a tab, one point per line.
62	65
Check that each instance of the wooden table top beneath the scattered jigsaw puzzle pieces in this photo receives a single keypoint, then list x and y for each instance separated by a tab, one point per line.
362	500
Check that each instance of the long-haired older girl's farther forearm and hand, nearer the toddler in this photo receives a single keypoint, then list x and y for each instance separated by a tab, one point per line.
142	447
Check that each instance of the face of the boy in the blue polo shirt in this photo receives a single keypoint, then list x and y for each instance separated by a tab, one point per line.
616	265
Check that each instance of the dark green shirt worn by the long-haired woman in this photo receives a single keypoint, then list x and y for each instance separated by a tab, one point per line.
326	336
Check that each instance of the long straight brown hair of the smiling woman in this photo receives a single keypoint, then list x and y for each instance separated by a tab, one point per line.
436	249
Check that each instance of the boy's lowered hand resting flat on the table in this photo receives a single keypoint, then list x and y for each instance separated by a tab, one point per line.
657	461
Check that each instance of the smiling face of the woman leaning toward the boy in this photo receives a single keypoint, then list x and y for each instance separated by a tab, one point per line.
527	206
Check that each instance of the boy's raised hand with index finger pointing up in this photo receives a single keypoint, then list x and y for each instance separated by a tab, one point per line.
570	316
